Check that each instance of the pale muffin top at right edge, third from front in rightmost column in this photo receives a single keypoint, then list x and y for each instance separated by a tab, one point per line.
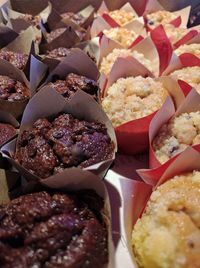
190	75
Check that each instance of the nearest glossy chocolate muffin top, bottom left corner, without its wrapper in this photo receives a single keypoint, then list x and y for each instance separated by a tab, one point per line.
49	230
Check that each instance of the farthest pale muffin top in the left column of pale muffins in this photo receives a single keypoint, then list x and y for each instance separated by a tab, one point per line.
122	17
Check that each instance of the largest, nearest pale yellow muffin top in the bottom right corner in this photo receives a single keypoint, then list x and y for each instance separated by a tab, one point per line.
168	234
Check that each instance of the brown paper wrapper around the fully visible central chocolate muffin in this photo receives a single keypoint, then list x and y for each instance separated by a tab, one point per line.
38	107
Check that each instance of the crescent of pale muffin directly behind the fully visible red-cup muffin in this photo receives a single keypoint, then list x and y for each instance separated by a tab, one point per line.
108	61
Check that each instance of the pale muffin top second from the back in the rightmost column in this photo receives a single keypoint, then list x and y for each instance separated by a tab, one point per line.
175	33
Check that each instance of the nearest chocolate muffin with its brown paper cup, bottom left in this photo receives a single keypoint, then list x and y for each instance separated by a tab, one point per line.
83	187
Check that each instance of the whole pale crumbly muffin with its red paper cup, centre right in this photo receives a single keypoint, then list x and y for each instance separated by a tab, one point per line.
132	135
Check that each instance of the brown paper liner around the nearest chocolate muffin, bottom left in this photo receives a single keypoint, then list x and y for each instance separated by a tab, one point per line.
78	180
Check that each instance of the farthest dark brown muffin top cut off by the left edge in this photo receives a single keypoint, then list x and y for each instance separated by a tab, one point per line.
19	60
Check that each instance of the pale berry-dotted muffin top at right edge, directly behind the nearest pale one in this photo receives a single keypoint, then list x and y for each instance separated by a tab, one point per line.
176	135
